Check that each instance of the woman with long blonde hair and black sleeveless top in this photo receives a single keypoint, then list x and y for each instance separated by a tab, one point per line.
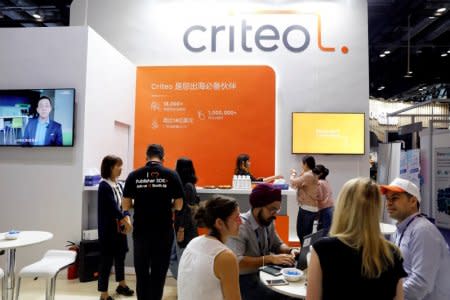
356	261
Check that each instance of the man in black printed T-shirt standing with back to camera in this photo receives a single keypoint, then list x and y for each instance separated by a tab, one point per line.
153	188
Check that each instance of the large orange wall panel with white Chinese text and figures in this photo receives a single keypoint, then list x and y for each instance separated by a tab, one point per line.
210	114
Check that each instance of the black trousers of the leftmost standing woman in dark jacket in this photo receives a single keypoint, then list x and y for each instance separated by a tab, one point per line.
106	262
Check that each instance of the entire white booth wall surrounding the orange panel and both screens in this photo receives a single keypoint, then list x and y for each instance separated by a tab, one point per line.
316	70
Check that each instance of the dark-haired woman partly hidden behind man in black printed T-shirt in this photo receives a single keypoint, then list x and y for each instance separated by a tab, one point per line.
184	234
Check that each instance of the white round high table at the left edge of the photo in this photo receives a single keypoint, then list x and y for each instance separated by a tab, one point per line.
25	238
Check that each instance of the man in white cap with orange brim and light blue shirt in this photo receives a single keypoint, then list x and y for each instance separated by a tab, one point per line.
425	252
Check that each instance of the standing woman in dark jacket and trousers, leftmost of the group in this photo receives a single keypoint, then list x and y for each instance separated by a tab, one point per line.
113	243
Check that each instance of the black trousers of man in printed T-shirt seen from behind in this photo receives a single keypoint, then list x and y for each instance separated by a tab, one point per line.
151	262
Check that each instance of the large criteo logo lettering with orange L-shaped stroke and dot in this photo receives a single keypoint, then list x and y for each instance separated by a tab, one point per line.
267	38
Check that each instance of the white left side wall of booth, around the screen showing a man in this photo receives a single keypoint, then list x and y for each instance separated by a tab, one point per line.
42	188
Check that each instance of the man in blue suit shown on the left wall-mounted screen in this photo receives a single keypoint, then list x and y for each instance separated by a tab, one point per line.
42	131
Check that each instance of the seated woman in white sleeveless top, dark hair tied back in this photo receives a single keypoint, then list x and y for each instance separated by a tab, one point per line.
208	268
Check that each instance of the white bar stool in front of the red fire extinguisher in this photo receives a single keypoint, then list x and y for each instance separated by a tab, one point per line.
48	267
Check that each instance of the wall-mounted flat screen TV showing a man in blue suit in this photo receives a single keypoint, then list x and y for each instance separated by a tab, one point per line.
37	117
